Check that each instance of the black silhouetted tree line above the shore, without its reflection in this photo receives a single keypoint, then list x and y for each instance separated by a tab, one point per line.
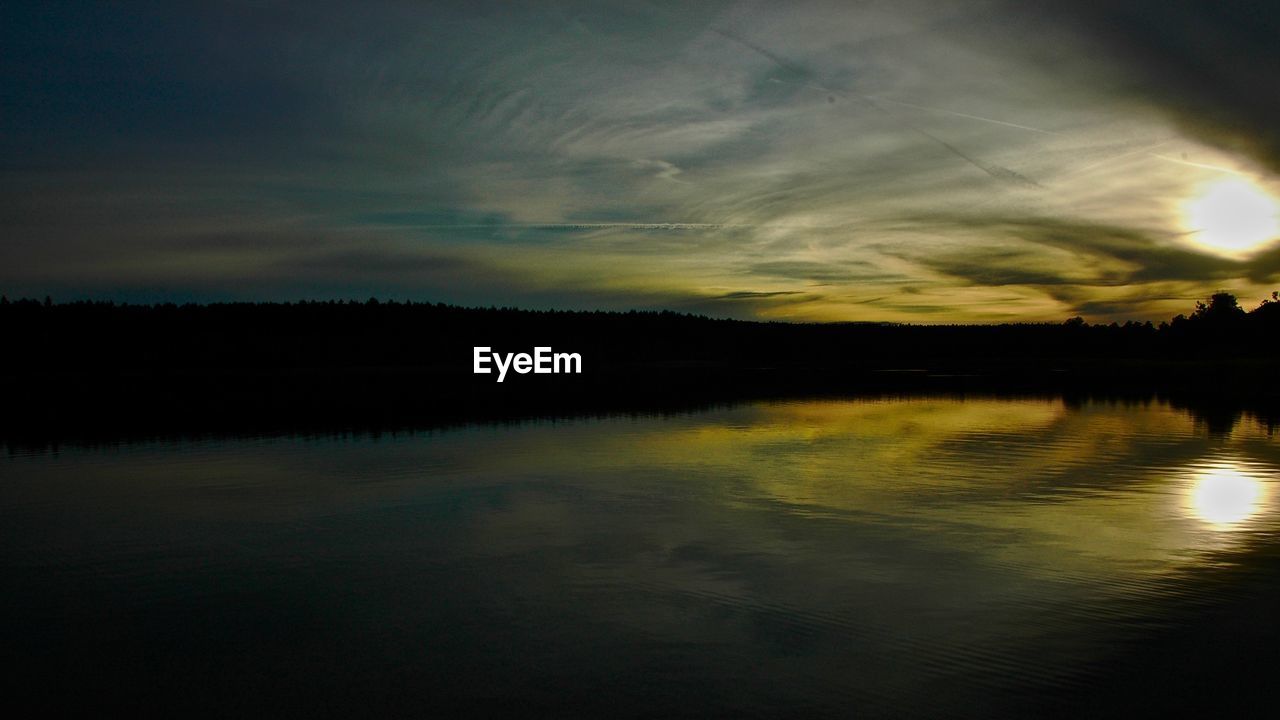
226	336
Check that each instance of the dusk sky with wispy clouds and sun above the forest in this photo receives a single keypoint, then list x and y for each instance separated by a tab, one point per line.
906	161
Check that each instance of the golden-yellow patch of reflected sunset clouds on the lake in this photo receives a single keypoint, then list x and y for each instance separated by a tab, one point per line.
1072	494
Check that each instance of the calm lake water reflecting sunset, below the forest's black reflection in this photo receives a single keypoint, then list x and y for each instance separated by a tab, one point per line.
935	558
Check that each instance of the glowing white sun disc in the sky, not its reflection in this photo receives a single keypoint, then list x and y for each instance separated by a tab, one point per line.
1233	217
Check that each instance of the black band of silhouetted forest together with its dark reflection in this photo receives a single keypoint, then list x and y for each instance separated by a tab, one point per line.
349	363
